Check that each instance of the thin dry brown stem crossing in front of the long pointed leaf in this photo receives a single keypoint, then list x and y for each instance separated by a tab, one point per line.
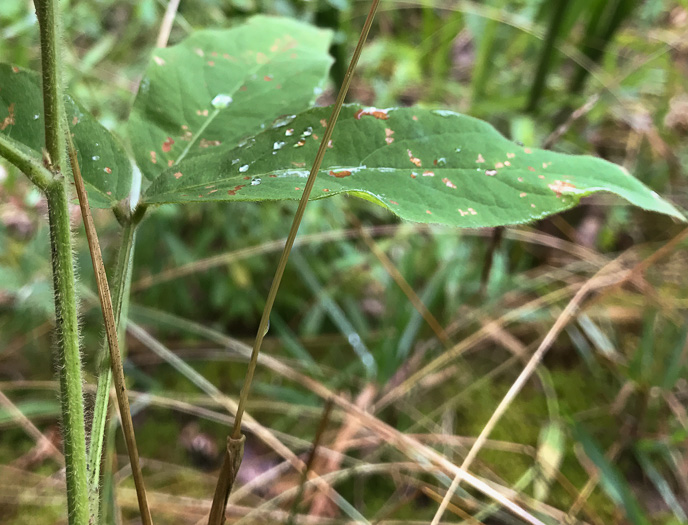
229	462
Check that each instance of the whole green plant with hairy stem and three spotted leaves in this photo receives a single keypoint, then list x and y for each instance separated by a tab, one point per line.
228	115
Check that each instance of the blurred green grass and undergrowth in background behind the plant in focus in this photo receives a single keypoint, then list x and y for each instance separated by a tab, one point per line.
614	73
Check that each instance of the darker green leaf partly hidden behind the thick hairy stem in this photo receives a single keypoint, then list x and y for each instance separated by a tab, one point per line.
105	167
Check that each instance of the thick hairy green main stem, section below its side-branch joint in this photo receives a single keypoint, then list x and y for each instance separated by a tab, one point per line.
68	359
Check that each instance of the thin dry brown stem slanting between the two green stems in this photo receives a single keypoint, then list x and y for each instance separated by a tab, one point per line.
111	333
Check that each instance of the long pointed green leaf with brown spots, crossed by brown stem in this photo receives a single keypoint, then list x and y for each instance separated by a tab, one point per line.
424	165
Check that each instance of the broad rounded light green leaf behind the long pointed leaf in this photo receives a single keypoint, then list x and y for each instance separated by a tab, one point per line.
219	86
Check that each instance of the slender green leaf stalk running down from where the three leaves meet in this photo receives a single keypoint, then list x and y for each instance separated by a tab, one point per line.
100	410
